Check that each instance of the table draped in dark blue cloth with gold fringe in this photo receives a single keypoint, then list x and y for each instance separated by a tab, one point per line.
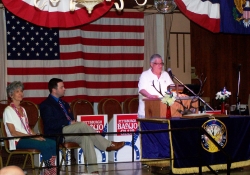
184	147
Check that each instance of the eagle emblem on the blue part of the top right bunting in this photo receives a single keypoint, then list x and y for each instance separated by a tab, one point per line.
241	12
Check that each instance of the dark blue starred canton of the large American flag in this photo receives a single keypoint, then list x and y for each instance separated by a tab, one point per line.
26	41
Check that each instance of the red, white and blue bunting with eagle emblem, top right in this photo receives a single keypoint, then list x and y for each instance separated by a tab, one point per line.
225	16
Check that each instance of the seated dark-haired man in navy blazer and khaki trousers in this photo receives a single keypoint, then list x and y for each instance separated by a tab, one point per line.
58	119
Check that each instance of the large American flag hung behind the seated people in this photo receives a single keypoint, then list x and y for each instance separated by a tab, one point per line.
98	60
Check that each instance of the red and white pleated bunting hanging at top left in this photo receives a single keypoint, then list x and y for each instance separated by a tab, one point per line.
55	16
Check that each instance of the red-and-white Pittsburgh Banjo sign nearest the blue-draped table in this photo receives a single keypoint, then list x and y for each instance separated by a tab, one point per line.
123	123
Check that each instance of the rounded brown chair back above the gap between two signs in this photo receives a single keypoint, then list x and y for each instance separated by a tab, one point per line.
111	107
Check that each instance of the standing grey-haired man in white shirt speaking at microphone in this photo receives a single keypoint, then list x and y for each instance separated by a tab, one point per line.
152	82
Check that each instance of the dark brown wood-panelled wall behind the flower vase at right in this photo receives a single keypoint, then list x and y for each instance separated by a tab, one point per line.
218	57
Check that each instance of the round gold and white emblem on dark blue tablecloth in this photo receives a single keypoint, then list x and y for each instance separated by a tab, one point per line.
218	131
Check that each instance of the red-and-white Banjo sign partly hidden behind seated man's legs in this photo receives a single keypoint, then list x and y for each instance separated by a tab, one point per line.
99	124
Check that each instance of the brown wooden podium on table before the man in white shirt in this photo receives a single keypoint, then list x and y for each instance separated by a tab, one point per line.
154	108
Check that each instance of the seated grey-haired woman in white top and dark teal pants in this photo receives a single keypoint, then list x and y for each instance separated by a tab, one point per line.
17	124
